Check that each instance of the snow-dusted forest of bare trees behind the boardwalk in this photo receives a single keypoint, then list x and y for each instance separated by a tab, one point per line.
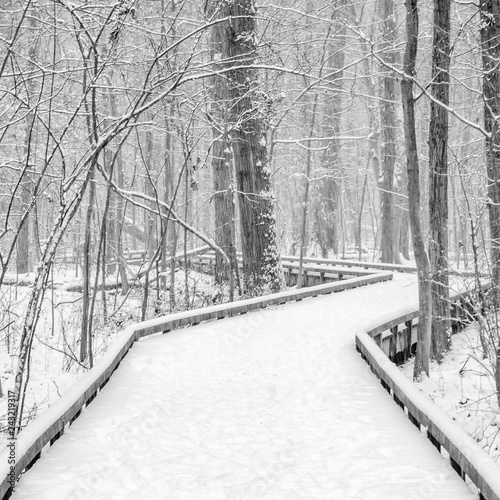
135	133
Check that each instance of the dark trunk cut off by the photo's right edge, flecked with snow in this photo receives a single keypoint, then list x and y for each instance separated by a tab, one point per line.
490	47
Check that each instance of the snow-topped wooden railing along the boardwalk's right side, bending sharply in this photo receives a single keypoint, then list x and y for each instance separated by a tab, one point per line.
395	336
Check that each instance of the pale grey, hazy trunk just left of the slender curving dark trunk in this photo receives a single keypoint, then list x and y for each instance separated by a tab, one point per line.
389	244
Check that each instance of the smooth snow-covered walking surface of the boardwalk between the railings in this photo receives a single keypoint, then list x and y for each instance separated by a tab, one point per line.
275	404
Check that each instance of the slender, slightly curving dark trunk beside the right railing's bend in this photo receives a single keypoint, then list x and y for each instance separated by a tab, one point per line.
421	258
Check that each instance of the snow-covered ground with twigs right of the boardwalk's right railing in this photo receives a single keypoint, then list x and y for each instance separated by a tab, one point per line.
462	386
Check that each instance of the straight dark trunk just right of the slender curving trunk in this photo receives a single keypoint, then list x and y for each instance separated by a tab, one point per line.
438	179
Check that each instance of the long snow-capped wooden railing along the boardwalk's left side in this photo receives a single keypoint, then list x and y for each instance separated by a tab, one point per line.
51	424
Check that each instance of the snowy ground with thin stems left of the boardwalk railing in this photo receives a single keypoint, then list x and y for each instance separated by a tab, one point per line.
54	365
